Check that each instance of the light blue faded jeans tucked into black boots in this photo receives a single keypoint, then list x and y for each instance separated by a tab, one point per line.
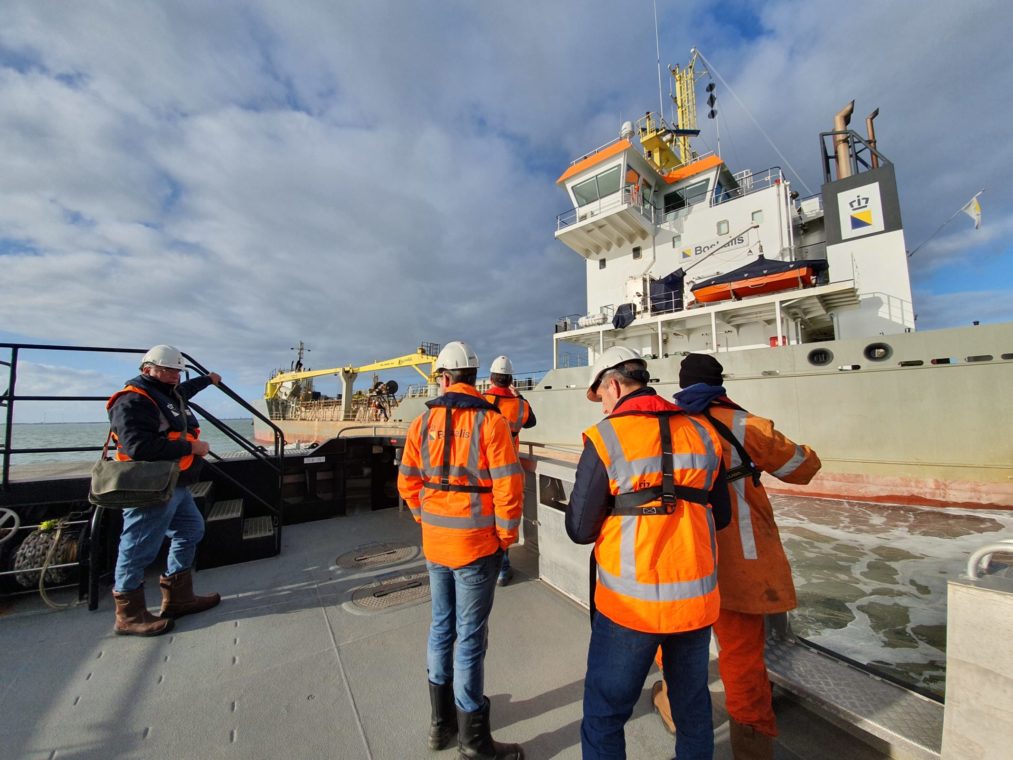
462	601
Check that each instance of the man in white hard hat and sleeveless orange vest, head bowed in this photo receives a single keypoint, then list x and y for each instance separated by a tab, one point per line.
650	493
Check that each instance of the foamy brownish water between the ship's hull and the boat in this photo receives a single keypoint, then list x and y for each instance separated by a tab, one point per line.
872	579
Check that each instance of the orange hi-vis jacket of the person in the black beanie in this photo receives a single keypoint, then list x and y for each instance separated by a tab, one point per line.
754	572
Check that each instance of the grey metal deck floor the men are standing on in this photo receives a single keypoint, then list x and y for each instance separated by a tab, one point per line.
290	665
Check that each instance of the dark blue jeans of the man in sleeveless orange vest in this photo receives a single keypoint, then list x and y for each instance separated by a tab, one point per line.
618	662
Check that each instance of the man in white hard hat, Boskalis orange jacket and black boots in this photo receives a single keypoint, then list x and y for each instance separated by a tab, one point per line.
460	478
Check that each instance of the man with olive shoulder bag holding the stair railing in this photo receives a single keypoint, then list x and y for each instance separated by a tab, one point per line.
148	424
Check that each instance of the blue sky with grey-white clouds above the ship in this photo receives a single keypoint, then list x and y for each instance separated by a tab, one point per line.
235	178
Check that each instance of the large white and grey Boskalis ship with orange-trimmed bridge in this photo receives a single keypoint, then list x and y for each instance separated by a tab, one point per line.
806	301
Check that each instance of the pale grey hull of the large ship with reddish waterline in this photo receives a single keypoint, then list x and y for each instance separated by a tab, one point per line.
927	425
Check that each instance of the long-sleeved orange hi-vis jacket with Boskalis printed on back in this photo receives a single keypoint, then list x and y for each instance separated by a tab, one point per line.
460	478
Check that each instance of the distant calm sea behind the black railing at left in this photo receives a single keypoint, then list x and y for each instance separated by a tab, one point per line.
42	435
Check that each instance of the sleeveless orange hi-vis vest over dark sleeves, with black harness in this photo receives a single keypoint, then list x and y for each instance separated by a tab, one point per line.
657	554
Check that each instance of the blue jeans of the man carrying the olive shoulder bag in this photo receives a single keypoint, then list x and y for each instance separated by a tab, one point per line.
142	538
